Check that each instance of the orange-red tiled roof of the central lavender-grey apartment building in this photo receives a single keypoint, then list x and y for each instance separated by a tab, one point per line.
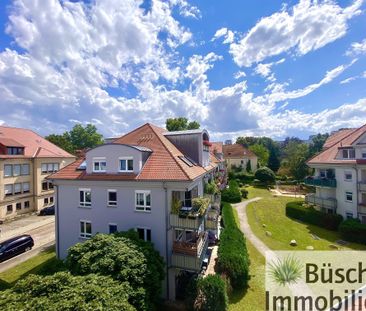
163	163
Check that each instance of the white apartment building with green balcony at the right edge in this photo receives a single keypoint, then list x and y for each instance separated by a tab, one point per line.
340	174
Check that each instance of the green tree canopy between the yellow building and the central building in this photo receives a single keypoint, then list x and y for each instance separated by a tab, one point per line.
79	137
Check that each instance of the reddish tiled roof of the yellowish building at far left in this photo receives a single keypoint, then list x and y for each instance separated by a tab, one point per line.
35	145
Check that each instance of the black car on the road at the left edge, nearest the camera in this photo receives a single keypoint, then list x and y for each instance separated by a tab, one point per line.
15	246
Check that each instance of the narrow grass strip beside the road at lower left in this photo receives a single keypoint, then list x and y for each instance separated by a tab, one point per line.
43	263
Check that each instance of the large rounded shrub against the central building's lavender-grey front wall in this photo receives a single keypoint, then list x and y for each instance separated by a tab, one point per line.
125	259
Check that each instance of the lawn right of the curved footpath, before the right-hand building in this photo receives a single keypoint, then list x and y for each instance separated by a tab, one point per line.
270	211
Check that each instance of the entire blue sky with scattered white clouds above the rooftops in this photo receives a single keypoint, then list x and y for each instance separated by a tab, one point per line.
259	67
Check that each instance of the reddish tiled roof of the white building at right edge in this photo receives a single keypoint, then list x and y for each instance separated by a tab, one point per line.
342	139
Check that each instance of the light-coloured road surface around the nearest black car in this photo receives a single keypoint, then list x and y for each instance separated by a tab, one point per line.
43	236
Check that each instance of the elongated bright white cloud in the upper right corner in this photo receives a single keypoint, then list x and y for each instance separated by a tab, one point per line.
308	26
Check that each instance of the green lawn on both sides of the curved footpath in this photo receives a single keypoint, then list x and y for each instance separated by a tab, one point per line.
271	212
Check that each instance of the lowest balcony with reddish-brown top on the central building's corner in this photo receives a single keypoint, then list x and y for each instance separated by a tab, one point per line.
189	255
